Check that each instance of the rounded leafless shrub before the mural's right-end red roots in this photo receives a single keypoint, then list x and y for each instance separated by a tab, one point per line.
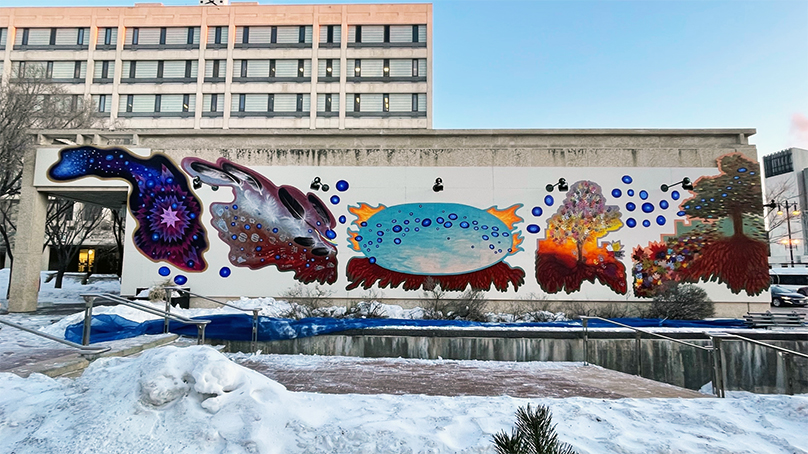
681	302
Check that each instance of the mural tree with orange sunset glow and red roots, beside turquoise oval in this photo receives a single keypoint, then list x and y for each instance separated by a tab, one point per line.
570	254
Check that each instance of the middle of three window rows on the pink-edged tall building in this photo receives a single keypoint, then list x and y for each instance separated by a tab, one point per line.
243	70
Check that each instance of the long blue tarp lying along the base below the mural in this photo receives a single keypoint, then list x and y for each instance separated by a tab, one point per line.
239	326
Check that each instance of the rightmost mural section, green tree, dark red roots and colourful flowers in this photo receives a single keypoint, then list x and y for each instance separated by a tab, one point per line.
725	240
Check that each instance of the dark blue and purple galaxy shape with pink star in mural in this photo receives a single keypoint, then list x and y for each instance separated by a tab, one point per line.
166	210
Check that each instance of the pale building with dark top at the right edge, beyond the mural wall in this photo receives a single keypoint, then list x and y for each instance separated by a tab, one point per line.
786	175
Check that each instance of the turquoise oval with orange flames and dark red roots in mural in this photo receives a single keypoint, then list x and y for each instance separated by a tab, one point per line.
423	244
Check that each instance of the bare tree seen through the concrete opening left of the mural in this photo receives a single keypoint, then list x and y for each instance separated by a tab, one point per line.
67	227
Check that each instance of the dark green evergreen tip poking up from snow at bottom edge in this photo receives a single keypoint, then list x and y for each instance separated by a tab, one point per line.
533	434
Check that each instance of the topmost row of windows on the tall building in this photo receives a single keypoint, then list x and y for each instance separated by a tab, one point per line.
189	37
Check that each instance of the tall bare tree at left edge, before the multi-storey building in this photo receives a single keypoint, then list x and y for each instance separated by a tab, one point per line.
29	100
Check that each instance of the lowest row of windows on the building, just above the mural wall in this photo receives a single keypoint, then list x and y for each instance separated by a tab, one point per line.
250	104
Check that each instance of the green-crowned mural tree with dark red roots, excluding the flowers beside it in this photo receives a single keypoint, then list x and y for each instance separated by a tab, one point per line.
738	260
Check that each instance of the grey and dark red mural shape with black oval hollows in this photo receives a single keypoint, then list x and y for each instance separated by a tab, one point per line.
267	225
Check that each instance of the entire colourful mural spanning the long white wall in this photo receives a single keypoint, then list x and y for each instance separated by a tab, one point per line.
711	231
